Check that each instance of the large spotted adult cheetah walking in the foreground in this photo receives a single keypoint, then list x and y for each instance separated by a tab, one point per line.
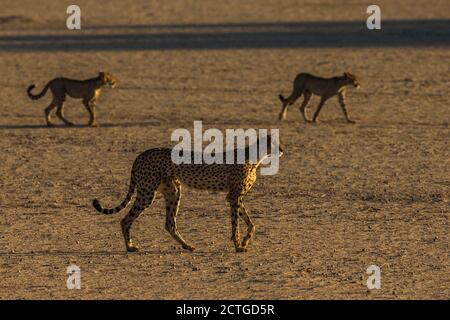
154	171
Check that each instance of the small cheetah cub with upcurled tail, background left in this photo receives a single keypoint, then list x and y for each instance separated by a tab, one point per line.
89	90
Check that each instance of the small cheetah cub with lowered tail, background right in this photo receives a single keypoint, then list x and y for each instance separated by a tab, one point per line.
307	84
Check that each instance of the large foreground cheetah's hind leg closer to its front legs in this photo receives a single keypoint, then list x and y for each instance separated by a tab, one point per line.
171	190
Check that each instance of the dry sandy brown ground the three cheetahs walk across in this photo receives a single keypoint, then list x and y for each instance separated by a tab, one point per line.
346	196
